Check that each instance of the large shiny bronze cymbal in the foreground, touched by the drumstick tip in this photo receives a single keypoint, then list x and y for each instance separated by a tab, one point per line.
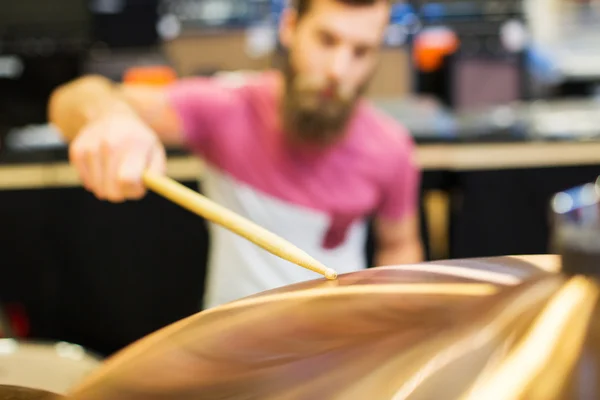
451	330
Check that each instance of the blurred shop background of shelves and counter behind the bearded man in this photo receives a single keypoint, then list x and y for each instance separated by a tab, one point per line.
502	97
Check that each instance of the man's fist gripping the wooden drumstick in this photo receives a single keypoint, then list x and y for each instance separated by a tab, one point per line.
112	152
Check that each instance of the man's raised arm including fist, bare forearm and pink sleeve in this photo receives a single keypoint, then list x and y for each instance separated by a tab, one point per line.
117	132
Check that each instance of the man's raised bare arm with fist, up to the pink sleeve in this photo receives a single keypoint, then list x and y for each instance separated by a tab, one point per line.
114	134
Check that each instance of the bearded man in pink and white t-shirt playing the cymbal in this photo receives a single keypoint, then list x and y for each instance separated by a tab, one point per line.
298	152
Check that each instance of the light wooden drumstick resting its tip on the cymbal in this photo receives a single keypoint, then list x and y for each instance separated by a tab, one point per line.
218	214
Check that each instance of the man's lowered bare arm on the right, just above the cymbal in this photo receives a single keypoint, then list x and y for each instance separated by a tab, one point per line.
398	242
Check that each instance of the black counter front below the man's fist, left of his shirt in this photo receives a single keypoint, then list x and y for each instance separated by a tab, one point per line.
98	274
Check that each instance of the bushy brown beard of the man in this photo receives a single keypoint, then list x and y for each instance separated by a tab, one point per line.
316	111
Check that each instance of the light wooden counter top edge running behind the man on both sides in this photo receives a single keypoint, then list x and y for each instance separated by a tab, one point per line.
50	169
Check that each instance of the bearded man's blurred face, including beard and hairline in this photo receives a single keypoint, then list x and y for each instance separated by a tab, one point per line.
332	53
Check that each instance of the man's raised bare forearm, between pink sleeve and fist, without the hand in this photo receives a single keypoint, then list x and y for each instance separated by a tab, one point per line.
73	105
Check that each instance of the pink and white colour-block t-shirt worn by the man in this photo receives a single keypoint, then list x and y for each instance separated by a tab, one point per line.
255	172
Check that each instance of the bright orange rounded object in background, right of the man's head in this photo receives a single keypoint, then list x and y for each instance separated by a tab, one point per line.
432	46
